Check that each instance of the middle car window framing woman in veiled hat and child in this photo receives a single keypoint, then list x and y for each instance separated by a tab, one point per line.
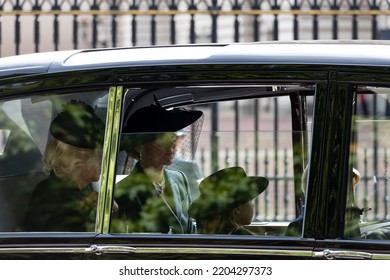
233	161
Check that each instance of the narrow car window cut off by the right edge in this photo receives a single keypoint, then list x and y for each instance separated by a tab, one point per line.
368	200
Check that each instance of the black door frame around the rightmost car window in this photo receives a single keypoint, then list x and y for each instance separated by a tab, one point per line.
330	241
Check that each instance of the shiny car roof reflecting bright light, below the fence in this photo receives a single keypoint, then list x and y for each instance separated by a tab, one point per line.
353	52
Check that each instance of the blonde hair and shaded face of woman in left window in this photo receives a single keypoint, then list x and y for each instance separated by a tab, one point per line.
66	161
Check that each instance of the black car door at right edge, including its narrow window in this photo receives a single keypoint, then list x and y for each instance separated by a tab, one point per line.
354	223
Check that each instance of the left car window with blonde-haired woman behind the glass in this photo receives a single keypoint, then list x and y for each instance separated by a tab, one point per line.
45	142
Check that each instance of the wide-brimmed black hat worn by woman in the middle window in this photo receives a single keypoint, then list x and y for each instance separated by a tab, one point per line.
147	123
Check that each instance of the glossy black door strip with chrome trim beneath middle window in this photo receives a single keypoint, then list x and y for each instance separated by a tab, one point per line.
245	245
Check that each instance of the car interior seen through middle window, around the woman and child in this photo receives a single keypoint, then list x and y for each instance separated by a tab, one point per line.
261	134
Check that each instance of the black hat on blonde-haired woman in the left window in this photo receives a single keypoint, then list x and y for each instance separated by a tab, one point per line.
79	126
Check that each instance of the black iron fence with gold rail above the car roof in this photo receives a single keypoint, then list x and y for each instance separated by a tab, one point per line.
41	25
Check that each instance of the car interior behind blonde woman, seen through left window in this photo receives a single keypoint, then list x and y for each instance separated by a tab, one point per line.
24	132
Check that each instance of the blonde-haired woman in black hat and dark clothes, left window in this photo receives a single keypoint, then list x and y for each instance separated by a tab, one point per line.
66	201
